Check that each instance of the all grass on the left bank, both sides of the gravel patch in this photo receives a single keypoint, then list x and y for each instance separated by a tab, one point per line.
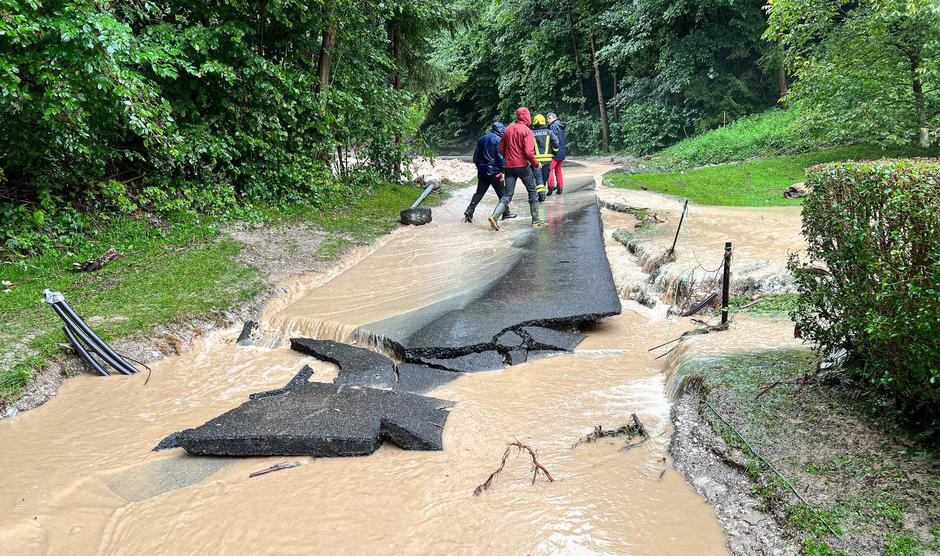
174	271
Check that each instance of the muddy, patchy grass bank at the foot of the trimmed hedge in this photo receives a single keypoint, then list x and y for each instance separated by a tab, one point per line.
840	445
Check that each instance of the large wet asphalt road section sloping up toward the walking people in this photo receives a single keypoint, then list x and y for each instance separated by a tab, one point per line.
562	280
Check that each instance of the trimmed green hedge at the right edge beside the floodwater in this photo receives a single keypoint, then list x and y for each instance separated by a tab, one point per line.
872	281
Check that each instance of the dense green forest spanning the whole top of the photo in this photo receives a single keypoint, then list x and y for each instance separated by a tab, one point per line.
212	107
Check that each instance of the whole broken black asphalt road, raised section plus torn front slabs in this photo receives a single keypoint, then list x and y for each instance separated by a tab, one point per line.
561	281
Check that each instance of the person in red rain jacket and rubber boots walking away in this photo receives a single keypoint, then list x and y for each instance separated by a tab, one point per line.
518	149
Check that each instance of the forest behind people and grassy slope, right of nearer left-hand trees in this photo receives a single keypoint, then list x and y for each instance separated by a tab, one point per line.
638	75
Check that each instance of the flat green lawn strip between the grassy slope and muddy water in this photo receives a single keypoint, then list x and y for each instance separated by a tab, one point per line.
754	183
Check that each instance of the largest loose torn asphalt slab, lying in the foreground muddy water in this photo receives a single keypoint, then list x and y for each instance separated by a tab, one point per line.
321	420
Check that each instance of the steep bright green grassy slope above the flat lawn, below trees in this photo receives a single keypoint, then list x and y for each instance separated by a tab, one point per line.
771	133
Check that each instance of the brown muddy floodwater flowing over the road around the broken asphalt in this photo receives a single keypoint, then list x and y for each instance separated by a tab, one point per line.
77	475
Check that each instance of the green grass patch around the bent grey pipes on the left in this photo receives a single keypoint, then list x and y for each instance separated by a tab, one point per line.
174	273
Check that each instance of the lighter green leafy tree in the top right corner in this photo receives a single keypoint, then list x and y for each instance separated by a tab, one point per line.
867	70
